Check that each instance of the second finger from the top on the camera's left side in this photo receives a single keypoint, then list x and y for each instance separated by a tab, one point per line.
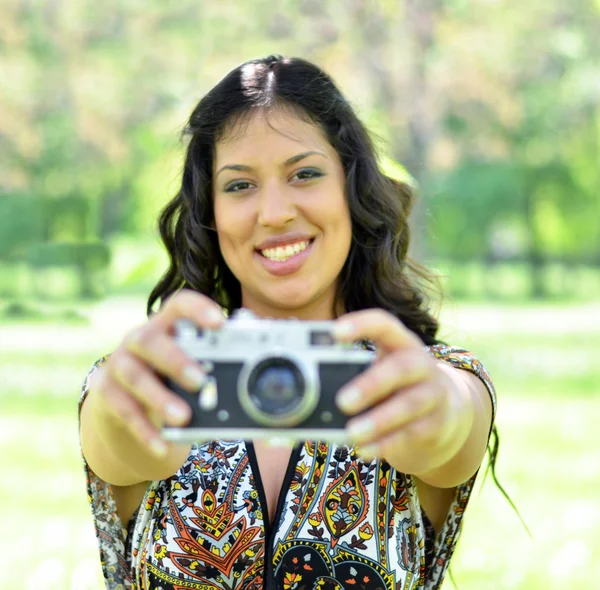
160	351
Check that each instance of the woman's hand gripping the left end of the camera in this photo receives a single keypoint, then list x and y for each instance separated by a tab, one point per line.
127	386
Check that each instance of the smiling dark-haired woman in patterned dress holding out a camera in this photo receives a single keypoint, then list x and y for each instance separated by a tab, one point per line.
283	211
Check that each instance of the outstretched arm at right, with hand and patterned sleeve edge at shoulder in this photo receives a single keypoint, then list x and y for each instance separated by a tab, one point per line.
425	417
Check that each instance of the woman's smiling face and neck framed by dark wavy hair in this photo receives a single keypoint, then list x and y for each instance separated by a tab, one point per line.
281	215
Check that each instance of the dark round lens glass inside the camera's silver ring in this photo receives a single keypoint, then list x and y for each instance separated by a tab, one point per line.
276	387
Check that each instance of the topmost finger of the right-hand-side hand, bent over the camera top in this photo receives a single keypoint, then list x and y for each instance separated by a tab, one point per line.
385	330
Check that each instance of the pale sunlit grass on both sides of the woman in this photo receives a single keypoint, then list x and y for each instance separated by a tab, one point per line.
543	363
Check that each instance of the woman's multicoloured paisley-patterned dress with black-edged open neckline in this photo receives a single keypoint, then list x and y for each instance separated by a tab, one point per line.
341	522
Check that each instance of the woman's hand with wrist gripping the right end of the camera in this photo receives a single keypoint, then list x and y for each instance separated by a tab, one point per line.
417	416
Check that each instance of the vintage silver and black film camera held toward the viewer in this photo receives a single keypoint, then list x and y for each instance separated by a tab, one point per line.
268	379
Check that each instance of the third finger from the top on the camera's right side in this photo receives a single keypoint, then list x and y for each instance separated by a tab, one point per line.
400	410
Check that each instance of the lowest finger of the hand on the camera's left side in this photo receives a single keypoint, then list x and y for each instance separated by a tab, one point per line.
128	411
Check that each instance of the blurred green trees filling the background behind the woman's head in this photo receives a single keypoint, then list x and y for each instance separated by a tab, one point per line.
493	111
